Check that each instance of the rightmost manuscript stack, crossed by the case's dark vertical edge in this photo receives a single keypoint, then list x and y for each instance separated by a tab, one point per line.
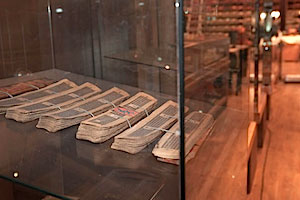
197	128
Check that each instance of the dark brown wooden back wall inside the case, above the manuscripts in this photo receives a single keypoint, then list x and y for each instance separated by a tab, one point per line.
83	34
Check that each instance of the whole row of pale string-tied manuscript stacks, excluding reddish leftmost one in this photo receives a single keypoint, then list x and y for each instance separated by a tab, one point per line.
134	122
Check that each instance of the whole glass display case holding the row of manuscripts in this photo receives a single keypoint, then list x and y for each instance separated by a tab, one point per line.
173	130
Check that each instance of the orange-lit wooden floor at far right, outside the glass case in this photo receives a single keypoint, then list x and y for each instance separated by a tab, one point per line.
278	170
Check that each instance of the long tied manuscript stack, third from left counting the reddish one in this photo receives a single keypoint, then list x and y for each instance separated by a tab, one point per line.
59	101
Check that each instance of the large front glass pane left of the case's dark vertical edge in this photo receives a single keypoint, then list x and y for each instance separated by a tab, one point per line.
128	44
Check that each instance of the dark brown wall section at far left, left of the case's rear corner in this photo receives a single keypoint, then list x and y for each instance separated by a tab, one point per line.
20	38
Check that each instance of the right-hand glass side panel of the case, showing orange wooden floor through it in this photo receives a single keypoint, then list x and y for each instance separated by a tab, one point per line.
218	41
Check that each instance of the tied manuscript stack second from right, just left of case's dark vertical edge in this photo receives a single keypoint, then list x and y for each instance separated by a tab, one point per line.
135	139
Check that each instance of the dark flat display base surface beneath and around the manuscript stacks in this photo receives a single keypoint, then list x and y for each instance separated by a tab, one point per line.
58	163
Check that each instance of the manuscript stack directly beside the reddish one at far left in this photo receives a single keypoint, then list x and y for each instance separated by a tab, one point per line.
30	97
